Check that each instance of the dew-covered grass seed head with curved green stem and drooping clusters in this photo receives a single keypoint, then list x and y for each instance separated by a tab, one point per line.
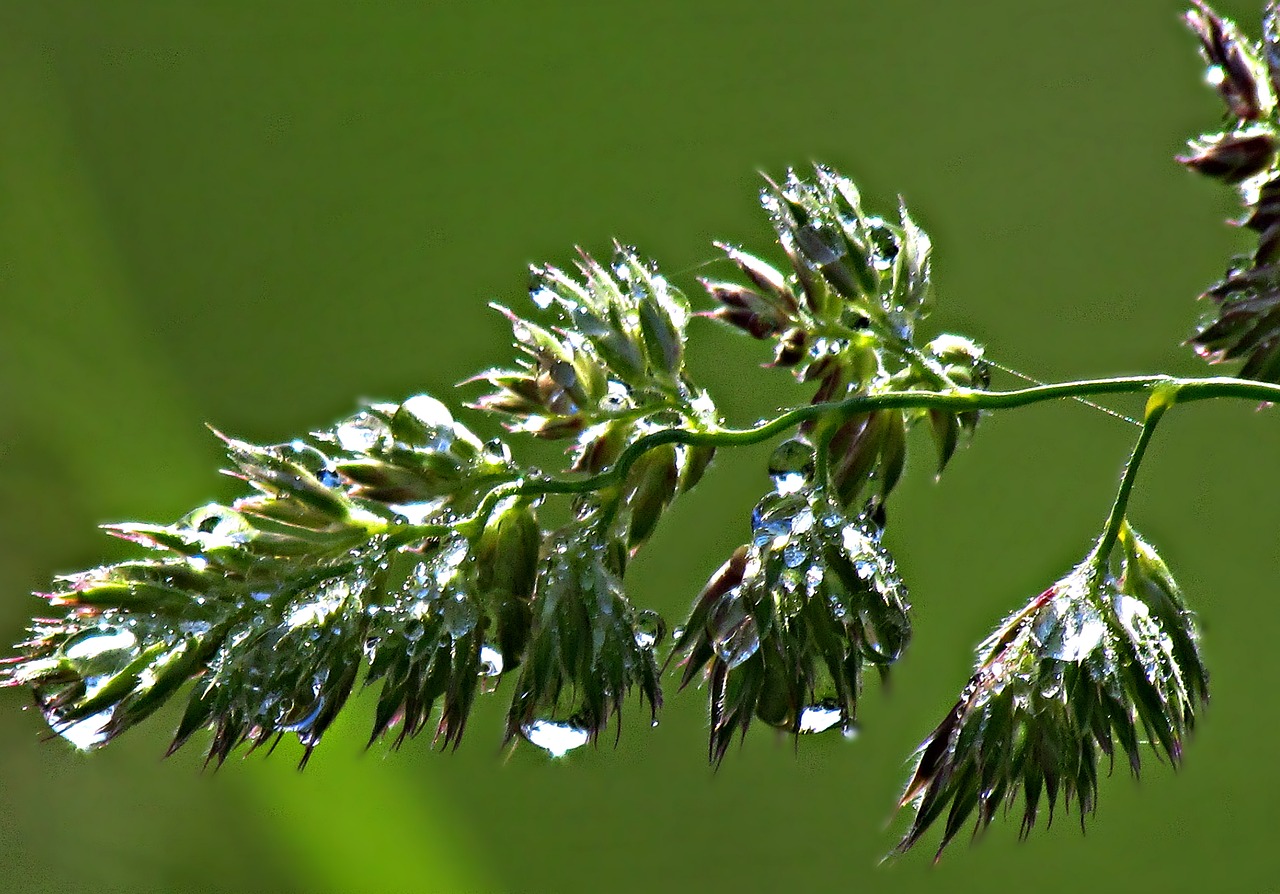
397	551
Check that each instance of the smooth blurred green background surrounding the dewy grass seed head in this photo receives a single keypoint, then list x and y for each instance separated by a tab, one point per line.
255	216
